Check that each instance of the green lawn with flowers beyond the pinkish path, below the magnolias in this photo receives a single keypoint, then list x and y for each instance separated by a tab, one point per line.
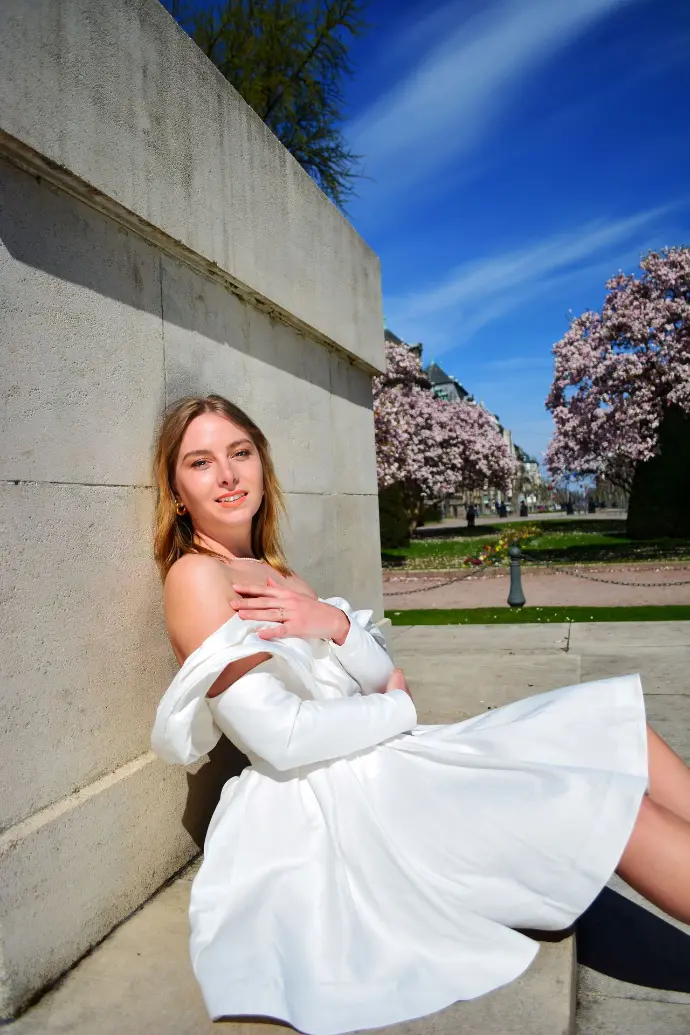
564	542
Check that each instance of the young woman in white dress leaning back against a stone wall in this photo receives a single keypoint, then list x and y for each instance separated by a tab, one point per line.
366	870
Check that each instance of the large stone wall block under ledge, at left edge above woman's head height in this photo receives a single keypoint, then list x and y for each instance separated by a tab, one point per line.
81	367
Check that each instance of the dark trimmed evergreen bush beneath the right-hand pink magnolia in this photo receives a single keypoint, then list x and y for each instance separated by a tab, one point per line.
661	494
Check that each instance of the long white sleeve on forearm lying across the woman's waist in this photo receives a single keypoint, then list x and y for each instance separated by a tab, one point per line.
264	719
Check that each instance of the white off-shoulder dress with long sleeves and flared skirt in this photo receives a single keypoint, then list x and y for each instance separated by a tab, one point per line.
366	870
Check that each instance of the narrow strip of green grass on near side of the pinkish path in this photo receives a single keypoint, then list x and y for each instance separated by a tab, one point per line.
512	616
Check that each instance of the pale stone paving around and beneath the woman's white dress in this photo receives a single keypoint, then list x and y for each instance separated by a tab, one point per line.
635	979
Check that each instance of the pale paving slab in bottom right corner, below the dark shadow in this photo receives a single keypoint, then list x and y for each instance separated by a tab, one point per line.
597	1016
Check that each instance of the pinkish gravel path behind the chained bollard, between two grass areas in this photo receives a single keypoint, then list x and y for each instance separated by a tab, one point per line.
543	587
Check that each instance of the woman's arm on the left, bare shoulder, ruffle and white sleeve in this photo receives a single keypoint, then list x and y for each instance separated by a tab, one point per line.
255	708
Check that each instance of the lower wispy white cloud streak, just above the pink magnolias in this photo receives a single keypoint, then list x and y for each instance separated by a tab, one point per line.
477	293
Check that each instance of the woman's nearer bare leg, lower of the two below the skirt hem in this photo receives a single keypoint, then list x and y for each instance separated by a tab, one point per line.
656	862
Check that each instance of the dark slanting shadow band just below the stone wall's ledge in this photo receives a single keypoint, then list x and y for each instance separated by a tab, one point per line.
47	229
